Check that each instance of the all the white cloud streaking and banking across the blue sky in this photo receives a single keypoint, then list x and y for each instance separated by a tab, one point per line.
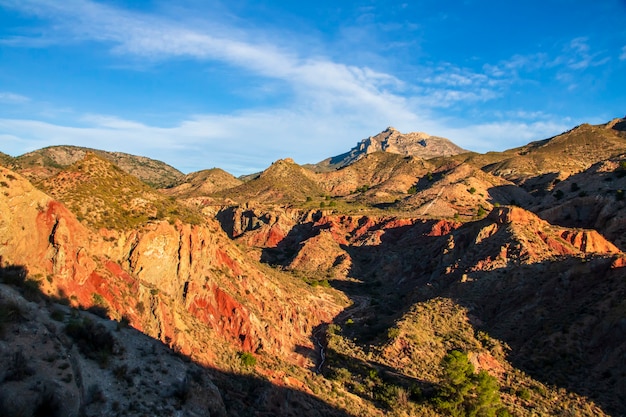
337	104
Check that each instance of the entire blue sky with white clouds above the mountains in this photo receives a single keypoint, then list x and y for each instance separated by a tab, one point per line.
239	84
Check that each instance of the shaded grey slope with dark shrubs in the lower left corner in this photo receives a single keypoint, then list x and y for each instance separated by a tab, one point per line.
122	361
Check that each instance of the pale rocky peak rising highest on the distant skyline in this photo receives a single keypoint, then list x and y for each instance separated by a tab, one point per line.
391	140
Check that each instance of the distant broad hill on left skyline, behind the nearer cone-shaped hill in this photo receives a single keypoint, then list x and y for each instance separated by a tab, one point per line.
46	162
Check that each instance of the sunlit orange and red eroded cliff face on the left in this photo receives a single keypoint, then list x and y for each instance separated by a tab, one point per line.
179	283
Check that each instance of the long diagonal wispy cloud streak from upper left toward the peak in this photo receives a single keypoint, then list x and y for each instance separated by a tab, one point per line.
156	38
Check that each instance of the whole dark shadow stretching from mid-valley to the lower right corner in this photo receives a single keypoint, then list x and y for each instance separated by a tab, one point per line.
564	319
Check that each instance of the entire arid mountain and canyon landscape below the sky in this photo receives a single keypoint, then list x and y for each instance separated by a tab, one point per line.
404	277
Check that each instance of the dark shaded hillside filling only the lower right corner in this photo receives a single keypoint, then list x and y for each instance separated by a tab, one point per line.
564	321
